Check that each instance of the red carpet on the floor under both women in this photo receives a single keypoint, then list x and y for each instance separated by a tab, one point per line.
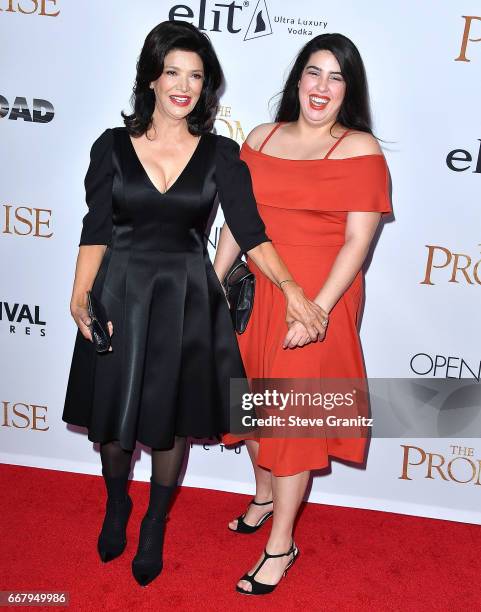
350	559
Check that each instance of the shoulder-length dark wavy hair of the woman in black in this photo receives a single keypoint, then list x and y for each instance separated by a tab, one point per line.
165	37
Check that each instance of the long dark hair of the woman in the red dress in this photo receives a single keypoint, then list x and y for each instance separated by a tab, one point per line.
355	112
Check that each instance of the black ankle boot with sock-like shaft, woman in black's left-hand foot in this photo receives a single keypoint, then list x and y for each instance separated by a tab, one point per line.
112	539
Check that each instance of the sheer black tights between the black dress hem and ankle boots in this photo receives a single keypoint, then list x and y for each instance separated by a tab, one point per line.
166	464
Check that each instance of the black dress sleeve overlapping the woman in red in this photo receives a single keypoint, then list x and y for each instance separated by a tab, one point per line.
234	186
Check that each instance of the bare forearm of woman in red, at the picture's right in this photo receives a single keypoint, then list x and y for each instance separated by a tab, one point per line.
344	270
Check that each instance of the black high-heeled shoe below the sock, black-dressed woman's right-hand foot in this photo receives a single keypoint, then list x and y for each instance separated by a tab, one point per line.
148	563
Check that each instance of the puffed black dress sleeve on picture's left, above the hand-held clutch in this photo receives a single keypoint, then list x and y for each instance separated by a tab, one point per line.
97	223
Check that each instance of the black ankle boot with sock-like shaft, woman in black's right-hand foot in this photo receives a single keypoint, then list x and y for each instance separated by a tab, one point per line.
147	563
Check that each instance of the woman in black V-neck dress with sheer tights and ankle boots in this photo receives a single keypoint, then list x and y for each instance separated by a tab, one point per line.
150	188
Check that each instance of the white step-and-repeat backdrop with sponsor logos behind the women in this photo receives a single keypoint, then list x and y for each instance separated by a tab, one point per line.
67	70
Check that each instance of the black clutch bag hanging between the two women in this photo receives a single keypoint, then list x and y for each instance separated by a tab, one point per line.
239	285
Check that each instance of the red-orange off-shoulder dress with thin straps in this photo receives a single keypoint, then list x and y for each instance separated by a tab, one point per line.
304	205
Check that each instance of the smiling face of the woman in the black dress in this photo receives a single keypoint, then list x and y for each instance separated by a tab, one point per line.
178	88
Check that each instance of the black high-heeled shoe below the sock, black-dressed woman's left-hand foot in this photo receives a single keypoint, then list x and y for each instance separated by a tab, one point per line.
112	539
